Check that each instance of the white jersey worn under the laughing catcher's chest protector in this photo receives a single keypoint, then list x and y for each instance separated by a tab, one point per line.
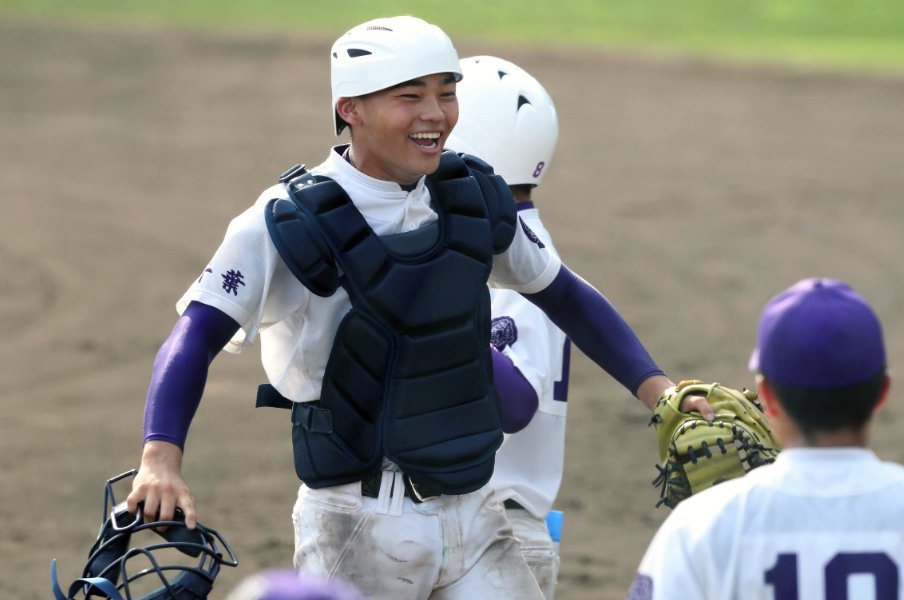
247	279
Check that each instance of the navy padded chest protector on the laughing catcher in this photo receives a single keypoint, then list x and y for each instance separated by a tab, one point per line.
409	376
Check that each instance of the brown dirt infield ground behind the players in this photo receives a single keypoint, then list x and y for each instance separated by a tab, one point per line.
688	193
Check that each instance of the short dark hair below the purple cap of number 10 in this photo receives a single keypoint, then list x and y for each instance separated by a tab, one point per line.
815	410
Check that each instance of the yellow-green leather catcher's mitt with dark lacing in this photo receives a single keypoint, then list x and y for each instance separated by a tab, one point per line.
695	453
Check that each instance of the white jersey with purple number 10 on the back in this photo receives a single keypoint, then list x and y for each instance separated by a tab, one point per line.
824	523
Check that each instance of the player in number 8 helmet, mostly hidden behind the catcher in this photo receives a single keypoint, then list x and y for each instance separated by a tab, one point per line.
508	119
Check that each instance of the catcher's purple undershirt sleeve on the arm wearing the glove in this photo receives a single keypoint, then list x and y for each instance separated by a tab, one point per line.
597	328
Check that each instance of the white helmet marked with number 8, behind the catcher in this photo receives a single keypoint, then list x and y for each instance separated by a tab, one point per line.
506	118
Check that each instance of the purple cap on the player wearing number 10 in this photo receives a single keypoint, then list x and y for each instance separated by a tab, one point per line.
819	334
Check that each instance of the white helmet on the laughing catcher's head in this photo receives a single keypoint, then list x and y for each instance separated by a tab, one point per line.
384	52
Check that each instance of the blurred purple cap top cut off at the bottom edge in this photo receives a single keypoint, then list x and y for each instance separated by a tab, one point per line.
286	584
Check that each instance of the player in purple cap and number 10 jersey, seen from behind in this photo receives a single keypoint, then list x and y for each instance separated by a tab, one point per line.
826	520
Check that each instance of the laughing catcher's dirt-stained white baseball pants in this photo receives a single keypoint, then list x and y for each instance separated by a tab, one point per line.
447	548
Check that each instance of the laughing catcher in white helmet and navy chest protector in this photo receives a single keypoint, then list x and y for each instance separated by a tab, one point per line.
366	281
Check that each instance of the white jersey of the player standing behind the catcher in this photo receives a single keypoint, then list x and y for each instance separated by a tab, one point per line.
529	463
